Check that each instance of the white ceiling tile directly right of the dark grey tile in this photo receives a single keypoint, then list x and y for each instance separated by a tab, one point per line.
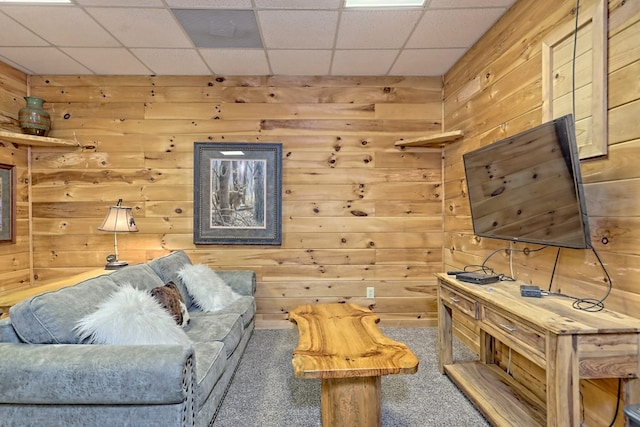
297	29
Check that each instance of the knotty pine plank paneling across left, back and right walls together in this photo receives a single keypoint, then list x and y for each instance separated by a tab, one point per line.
137	137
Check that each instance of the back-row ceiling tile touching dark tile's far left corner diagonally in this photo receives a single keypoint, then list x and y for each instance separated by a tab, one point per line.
172	61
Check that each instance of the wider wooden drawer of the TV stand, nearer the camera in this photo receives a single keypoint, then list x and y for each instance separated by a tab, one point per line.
517	334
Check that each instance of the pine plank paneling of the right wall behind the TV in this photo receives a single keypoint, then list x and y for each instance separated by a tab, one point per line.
494	91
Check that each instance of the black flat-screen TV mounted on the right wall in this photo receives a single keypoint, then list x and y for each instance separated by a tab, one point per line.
528	188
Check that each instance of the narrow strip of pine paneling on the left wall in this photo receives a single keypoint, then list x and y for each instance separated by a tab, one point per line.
15	258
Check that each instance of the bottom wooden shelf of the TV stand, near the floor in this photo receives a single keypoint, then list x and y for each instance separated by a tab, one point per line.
502	399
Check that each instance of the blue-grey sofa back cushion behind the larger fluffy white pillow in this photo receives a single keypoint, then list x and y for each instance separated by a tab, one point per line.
49	318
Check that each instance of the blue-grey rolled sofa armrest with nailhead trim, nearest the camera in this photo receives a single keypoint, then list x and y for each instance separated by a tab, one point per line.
55	374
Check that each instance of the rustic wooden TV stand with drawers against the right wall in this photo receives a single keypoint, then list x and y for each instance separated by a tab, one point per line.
568	344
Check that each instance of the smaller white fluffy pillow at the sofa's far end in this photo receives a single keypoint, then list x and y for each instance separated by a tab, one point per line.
208	290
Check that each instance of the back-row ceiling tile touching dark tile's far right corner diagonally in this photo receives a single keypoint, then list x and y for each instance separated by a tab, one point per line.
300	62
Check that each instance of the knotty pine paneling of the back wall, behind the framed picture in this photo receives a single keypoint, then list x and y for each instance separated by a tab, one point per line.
357	211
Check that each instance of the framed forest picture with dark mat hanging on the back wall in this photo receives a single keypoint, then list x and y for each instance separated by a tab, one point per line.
237	193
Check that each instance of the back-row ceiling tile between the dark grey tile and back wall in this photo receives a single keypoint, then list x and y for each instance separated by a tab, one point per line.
236	61
